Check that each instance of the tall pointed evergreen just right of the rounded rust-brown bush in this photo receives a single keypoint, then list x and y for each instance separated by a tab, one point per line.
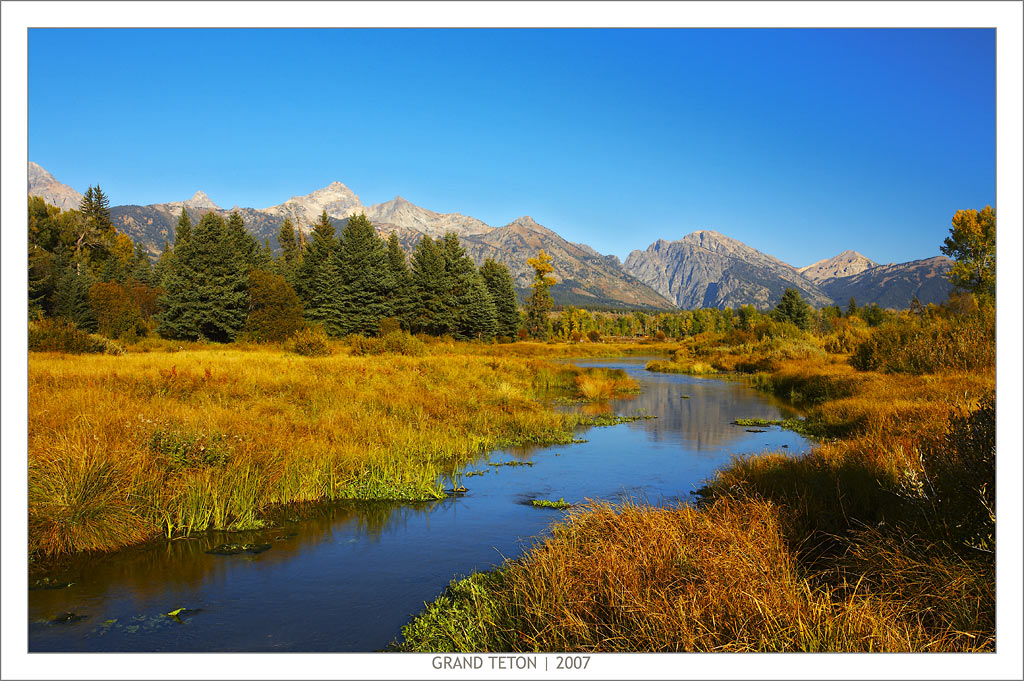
318	283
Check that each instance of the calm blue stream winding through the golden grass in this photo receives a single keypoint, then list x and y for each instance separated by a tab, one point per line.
347	578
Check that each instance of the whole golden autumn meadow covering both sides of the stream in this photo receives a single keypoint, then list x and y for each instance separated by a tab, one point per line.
881	539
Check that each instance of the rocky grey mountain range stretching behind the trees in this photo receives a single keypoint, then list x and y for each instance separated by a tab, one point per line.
702	270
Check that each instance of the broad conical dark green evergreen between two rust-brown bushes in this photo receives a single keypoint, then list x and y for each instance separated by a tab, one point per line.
206	287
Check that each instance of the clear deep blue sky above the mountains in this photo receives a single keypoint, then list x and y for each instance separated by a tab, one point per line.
801	144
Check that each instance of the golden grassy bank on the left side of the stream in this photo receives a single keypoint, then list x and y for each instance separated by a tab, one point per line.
173	441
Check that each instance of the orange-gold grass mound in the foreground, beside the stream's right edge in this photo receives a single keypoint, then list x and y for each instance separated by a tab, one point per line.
637	578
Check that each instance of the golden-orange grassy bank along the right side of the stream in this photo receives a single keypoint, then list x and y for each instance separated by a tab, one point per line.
882	539
